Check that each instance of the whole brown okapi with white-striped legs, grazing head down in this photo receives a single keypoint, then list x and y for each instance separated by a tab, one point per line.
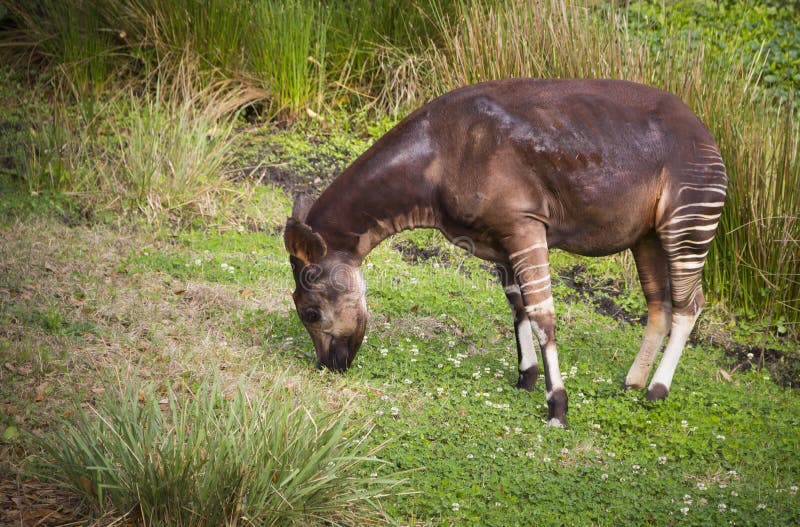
518	167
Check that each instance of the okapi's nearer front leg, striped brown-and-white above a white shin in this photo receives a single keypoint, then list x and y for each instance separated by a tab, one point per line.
528	255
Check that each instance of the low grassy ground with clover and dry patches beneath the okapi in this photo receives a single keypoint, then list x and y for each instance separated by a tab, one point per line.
91	301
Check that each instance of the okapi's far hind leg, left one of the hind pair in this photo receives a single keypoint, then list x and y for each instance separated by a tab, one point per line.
652	266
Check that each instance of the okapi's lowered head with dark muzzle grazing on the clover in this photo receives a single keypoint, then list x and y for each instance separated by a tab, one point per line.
329	292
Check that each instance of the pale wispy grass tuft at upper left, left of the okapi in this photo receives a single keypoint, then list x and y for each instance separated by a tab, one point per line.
174	140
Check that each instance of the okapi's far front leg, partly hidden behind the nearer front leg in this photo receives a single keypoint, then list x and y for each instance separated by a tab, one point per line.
526	349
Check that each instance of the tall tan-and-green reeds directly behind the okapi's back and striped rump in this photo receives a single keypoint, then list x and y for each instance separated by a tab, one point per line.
754	261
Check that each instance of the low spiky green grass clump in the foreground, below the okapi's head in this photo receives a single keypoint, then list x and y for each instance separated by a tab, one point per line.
210	457
